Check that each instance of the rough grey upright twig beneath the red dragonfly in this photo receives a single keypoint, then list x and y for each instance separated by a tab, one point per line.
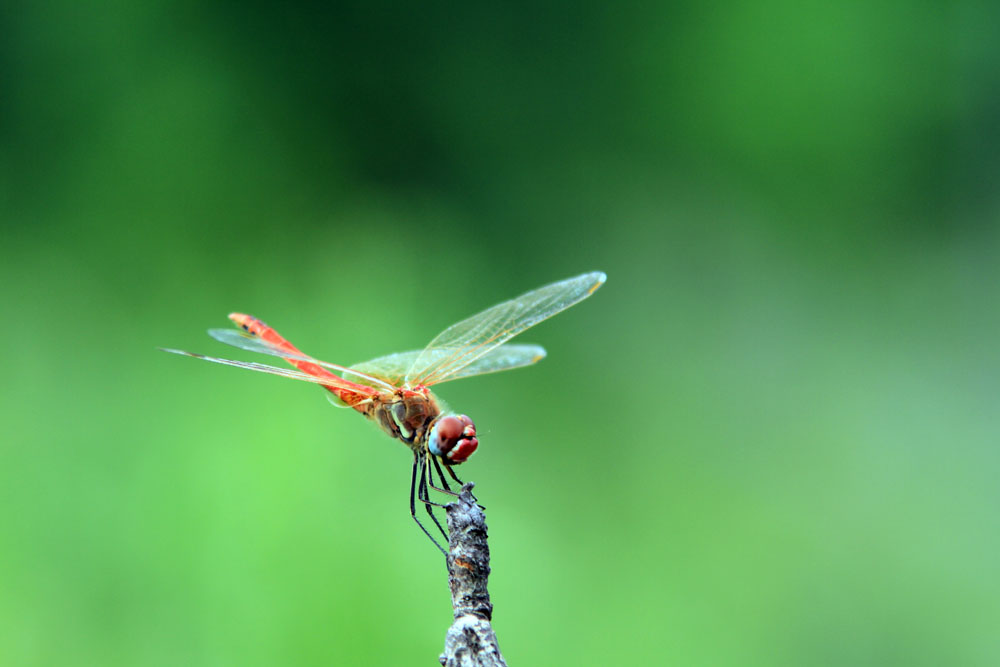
470	641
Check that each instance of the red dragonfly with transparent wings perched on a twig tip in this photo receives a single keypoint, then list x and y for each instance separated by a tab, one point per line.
394	391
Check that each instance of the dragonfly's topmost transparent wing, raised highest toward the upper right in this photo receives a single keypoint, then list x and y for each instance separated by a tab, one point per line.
463	343
